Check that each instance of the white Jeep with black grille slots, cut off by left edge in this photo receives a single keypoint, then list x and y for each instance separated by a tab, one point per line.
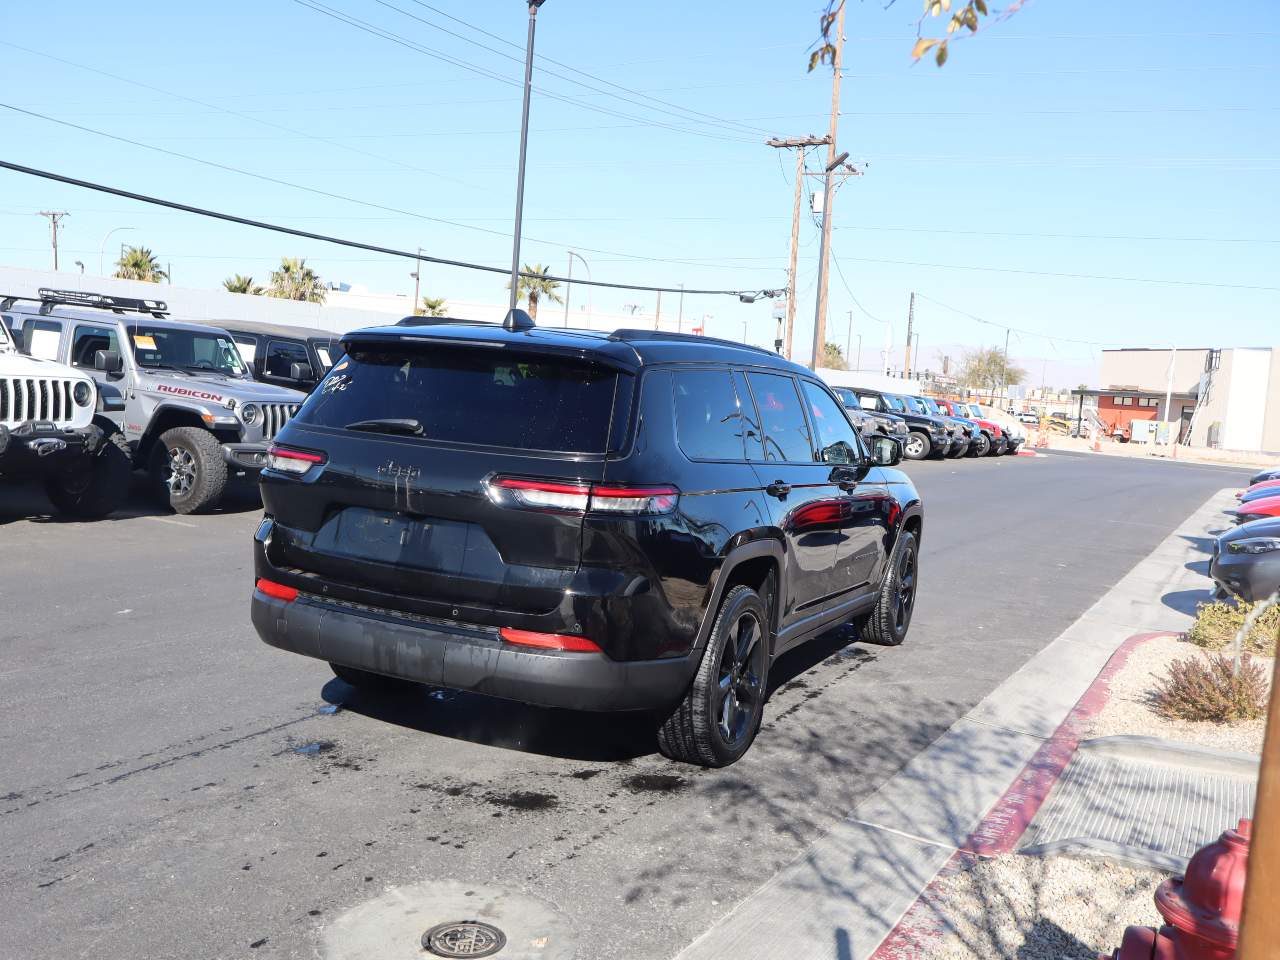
53	429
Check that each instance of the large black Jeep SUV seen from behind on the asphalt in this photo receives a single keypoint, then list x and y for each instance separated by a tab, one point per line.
628	522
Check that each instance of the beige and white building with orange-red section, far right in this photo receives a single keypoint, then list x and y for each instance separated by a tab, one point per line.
1227	399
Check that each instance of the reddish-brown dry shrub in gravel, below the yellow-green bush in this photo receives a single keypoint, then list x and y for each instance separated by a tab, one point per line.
1208	692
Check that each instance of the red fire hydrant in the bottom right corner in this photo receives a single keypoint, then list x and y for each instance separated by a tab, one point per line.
1201	911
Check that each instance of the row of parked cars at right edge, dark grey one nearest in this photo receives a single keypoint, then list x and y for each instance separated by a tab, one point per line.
1247	559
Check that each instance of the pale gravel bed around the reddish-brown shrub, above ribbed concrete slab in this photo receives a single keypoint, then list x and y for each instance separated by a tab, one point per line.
1130	712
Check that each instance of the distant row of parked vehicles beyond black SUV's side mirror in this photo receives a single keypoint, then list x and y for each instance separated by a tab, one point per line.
932	427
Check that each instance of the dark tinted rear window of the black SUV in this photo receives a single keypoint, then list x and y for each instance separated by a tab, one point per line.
476	396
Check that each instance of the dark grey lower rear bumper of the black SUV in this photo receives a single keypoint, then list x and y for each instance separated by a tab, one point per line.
464	657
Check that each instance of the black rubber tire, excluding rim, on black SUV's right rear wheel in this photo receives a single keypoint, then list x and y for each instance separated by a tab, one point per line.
692	734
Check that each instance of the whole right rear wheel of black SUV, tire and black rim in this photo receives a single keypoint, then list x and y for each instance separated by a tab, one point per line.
712	726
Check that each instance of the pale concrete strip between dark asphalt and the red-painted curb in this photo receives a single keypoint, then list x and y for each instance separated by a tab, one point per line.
847	893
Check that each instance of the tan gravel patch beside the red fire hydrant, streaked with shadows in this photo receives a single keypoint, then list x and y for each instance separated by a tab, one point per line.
1027	908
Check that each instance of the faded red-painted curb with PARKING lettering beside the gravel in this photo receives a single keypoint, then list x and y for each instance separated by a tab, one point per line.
1011	816
